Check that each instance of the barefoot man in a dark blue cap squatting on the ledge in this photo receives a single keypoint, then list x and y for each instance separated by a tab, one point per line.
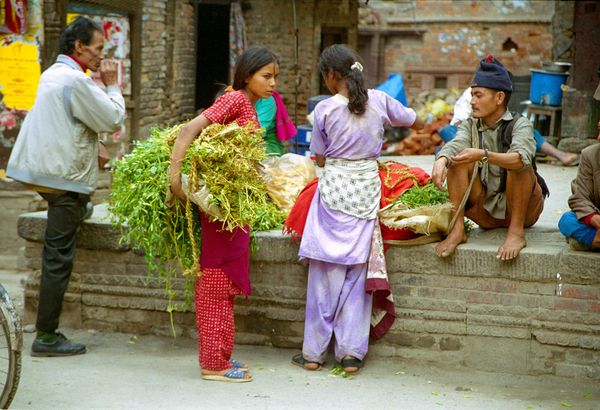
507	192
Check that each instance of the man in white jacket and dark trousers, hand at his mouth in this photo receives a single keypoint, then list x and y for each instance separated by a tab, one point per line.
56	153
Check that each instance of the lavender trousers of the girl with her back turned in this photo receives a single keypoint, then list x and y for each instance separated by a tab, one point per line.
336	304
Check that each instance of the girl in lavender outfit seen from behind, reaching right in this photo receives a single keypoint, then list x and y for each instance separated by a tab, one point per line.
346	140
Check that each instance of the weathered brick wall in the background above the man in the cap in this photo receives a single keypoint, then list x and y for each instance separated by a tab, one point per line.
451	37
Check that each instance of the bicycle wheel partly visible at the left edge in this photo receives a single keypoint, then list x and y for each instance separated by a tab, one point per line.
10	354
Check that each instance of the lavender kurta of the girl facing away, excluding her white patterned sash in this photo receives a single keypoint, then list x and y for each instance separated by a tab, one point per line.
333	236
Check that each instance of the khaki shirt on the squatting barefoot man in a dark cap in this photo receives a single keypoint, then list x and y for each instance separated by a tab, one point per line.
522	143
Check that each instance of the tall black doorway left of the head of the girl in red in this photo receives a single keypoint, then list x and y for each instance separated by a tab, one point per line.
212	54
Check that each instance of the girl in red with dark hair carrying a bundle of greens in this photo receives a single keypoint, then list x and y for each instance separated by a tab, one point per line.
225	257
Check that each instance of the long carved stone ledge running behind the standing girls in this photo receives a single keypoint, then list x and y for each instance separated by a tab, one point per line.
539	314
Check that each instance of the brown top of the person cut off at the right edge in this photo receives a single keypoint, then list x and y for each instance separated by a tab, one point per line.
585	199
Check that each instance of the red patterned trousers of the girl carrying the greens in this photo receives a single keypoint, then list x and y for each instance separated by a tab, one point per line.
215	319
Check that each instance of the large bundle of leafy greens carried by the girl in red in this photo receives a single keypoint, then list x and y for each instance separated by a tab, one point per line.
226	158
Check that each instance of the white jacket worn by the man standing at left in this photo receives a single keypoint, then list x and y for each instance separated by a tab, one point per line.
57	146
